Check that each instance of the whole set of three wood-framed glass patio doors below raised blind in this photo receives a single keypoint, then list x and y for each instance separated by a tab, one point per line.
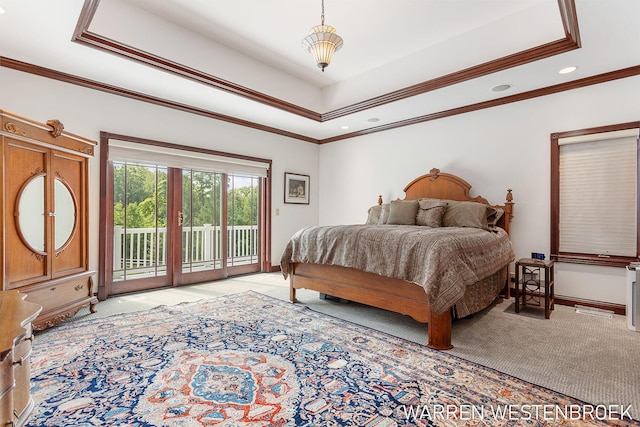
173	226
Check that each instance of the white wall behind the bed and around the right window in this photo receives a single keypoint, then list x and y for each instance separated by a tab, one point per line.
493	149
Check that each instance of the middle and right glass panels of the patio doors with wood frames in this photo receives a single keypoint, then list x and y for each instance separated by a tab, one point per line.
220	225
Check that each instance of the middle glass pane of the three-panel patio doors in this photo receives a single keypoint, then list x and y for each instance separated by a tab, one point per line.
202	227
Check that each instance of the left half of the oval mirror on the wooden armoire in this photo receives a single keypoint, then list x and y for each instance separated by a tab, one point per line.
30	219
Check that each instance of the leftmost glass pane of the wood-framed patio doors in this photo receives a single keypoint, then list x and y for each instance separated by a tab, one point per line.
139	221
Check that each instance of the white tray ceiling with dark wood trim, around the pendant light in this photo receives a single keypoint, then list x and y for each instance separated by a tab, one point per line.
403	61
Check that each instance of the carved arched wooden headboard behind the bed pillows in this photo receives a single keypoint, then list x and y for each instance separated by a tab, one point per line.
439	185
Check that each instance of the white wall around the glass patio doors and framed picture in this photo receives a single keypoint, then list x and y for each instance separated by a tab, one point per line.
87	112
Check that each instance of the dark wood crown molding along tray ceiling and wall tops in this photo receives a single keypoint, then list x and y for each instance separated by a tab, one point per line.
84	36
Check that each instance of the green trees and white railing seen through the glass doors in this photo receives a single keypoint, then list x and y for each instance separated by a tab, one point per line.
140	194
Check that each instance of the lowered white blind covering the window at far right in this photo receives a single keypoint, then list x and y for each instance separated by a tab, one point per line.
598	212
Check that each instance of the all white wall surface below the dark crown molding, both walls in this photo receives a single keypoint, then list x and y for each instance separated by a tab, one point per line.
493	149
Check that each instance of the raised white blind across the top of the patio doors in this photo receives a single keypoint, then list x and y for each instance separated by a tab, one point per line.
131	152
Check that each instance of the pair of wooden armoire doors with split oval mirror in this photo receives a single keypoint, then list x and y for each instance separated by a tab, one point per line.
46	232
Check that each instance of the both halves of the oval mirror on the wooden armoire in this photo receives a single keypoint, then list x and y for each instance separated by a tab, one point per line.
30	220
